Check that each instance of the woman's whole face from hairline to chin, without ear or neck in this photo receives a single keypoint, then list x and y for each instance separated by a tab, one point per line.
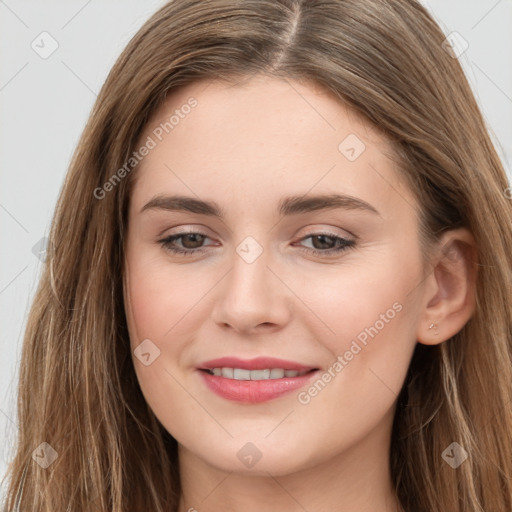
303	247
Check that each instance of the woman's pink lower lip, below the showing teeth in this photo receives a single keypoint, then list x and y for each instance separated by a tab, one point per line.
254	391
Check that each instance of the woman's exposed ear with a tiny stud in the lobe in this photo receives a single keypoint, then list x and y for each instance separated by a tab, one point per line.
450	298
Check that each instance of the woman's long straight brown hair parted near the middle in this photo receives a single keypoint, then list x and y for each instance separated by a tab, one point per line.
78	391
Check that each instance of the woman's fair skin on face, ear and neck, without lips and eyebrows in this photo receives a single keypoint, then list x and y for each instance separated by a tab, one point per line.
246	147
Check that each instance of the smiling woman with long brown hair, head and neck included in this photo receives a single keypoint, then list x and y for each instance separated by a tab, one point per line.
279	277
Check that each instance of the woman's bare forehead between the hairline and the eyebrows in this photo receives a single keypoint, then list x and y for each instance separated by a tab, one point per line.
259	137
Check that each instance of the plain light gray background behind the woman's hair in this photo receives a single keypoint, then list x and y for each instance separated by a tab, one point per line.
44	104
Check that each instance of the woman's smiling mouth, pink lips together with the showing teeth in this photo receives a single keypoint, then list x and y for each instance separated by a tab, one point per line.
256	380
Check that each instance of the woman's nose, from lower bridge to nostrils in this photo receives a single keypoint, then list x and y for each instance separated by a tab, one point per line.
251	298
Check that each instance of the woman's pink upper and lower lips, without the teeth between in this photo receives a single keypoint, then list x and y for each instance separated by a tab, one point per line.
253	391
